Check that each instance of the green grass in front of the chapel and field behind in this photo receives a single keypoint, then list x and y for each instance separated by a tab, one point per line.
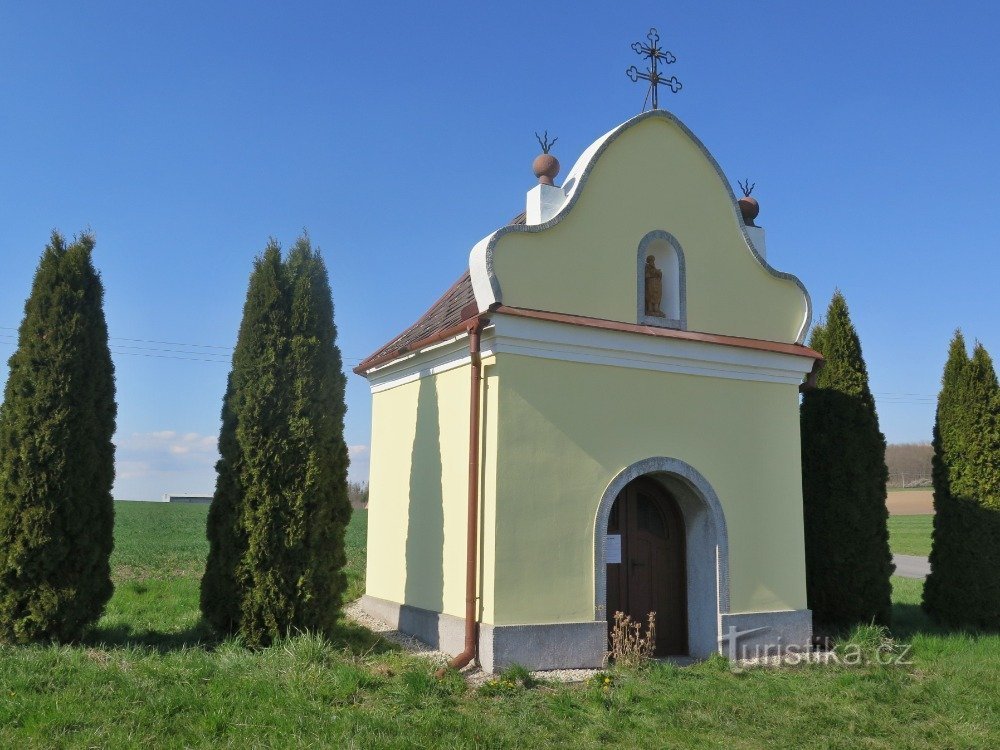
150	676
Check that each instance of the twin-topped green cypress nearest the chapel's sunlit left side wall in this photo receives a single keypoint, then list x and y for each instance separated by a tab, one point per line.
277	522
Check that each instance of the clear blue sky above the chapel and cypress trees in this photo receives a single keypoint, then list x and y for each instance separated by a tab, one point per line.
185	134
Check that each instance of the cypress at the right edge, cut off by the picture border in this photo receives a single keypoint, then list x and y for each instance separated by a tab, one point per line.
963	588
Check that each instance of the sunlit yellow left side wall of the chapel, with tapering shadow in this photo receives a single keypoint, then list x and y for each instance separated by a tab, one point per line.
419	490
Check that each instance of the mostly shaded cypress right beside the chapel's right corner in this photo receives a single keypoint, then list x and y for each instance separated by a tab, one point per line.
848	562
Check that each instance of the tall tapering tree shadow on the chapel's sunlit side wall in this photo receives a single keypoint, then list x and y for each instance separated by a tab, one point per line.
425	518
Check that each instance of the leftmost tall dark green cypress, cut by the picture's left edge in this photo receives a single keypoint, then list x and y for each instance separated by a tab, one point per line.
56	455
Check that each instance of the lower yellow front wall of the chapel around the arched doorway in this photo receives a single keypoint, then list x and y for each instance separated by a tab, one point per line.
568	428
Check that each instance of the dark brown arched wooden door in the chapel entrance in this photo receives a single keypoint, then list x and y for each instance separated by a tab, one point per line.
651	574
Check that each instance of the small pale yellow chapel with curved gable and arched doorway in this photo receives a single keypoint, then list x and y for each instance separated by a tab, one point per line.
600	415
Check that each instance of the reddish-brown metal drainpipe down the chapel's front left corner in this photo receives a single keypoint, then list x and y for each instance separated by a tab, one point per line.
472	535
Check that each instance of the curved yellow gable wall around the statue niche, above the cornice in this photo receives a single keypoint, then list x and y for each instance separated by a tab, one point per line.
652	176
